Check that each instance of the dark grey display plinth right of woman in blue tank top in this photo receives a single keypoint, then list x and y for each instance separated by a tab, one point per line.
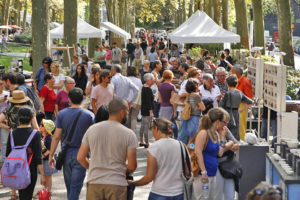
253	161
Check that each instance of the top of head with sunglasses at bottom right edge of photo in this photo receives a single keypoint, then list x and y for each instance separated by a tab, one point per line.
265	191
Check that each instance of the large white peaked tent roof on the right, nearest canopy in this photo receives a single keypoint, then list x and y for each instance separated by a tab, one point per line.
200	28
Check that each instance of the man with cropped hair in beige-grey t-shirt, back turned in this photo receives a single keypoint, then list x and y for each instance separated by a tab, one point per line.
110	144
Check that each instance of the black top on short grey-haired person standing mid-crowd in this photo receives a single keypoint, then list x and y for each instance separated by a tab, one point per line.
147	101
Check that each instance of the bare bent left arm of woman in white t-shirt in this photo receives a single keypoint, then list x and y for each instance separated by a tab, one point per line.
150	172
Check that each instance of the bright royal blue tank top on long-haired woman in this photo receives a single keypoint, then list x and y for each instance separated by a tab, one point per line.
210	157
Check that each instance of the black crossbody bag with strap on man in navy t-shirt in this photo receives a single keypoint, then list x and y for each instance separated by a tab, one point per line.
62	154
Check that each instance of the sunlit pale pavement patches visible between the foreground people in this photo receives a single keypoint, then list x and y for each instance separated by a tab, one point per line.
60	192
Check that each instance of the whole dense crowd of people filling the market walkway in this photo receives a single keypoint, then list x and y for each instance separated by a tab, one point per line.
94	111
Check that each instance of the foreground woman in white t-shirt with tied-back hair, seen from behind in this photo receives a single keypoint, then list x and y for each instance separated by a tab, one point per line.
164	166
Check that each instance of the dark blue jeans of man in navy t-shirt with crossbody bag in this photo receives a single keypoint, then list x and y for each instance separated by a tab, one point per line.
74	174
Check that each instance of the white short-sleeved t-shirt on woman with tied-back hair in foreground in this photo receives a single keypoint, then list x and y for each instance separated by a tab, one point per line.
167	181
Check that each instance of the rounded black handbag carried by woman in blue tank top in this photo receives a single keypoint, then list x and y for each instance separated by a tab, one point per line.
230	168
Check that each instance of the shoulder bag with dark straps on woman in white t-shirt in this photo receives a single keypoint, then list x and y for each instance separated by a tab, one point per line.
188	178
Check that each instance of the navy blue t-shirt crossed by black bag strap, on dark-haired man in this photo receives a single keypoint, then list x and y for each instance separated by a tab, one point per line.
65	120
